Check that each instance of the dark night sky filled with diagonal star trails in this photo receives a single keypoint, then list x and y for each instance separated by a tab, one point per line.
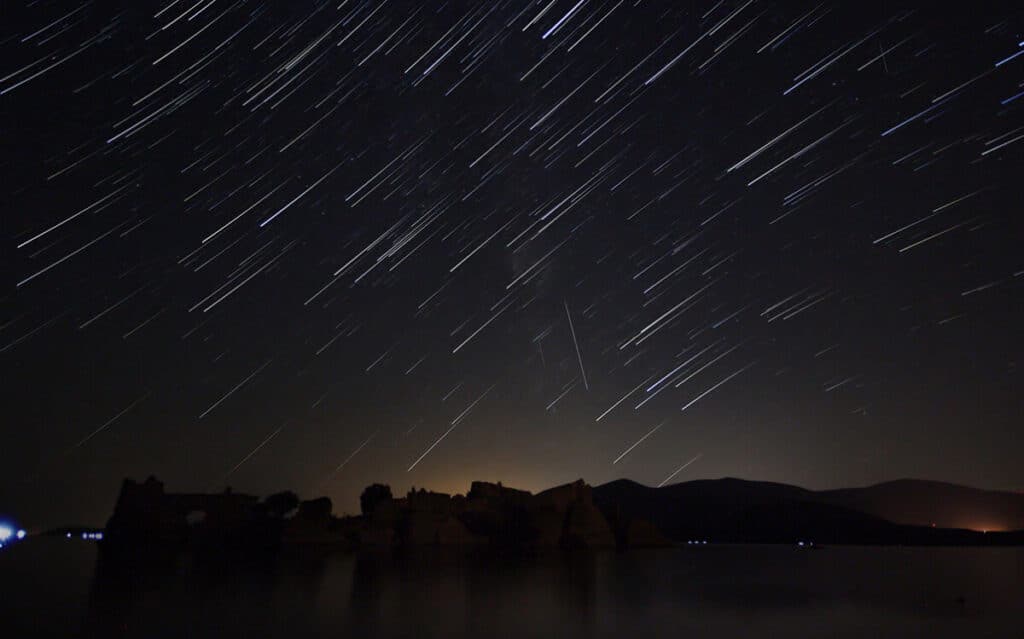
316	245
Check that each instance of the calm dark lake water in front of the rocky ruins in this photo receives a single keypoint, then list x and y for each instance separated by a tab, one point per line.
55	588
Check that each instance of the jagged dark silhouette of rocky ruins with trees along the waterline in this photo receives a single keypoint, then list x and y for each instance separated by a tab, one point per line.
490	514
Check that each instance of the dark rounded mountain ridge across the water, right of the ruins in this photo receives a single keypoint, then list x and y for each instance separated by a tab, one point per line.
732	509
